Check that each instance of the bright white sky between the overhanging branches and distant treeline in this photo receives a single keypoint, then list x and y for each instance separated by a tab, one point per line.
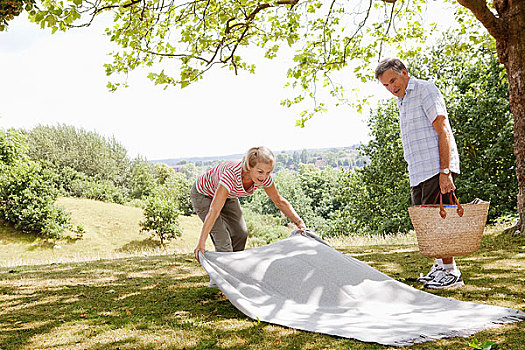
50	79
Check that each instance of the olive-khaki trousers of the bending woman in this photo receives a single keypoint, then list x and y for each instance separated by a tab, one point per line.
229	233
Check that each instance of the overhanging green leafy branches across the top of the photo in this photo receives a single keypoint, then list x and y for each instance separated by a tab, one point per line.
315	38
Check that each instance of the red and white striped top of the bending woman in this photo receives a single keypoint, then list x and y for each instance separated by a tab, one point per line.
227	174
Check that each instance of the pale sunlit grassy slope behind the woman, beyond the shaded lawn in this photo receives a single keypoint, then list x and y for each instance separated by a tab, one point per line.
111	231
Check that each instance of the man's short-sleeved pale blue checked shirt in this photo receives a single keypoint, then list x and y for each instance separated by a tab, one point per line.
419	108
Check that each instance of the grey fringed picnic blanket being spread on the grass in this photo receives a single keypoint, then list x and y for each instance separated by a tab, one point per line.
301	282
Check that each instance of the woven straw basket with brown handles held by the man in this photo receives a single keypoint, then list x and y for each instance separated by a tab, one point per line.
442	236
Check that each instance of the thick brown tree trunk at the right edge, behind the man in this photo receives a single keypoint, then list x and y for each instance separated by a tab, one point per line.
508	28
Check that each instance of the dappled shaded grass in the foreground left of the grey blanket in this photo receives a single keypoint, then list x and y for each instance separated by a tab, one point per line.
134	303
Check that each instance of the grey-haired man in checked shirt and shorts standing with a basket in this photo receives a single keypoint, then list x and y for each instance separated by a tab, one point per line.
429	149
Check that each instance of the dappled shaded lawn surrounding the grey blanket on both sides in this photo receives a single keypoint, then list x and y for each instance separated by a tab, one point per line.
162	302
